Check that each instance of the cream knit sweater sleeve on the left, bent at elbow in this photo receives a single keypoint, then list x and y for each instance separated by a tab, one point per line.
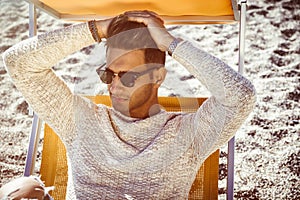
29	63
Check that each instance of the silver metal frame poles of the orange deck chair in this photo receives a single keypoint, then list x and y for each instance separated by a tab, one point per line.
36	124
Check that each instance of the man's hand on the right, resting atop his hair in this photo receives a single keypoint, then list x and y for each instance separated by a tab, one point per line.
155	25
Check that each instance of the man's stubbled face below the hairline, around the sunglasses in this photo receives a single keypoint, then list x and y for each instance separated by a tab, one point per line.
134	101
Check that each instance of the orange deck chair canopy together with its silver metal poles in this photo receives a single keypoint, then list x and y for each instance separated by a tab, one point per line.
180	12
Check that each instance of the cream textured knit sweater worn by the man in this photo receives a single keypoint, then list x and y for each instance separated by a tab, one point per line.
112	156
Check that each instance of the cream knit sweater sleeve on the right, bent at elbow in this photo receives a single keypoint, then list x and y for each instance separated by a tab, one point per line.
232	100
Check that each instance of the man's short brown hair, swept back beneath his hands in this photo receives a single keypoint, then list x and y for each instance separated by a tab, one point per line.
130	35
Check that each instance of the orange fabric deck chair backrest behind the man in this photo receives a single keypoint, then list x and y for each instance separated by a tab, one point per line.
54	168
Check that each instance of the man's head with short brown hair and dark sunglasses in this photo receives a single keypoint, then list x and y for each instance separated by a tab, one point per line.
131	49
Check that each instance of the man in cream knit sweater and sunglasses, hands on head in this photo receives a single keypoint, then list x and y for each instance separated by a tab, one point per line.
134	150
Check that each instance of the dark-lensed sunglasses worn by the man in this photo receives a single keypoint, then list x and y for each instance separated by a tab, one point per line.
127	78
